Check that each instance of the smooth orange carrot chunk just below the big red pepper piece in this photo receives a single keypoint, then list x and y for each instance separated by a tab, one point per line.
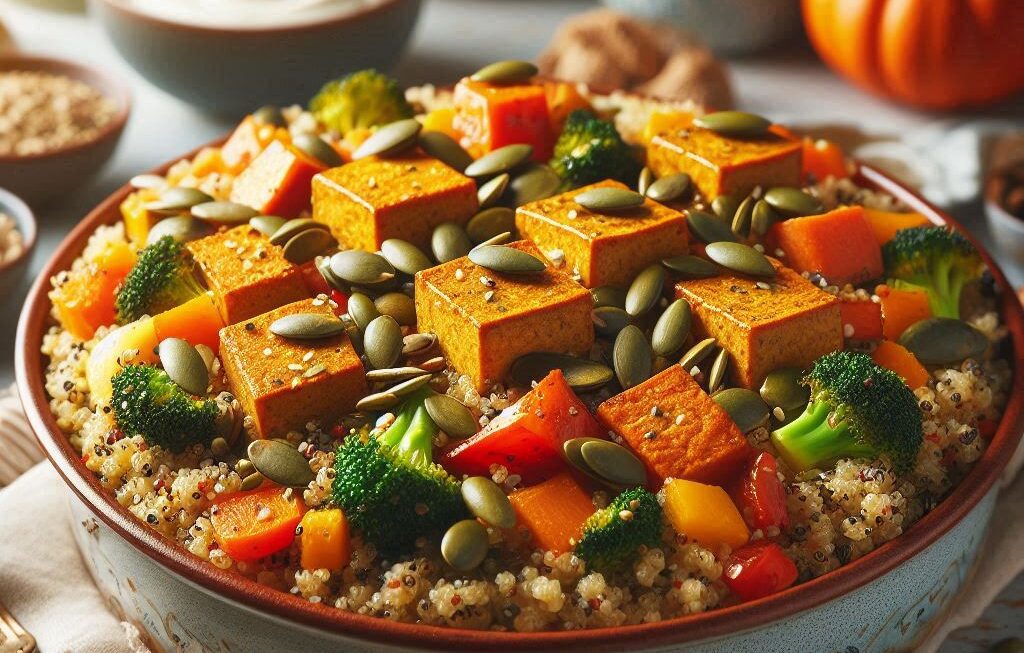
554	512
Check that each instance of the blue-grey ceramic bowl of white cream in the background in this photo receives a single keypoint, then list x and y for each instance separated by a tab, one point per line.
233	71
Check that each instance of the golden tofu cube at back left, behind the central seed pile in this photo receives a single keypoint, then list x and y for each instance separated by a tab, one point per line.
370	201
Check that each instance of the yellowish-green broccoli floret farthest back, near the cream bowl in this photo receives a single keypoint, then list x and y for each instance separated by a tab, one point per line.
362	100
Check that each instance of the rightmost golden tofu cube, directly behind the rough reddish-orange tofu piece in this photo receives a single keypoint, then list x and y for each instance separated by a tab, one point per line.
789	324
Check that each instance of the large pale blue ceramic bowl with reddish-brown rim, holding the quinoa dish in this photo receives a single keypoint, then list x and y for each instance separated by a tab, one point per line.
887	600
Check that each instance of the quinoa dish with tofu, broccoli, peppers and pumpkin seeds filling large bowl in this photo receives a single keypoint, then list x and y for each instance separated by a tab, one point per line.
519	357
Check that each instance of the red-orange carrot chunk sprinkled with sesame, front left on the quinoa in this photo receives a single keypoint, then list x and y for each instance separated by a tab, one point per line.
252	526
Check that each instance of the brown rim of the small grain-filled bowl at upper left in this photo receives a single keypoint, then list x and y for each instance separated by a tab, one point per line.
111	88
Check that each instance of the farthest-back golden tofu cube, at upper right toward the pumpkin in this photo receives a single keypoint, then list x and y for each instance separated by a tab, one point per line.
720	165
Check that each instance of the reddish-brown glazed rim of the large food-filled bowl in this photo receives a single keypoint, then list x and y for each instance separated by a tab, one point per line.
284	607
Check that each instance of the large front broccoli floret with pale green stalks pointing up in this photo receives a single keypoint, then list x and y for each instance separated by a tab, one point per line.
390	487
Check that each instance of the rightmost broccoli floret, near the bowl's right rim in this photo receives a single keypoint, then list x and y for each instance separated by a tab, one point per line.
935	259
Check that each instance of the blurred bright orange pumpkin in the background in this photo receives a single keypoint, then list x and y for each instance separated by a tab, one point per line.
930	54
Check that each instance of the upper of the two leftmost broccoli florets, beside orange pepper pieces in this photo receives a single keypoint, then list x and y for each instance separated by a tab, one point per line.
162	278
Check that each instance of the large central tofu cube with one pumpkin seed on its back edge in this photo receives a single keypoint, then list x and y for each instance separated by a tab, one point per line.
485	321
